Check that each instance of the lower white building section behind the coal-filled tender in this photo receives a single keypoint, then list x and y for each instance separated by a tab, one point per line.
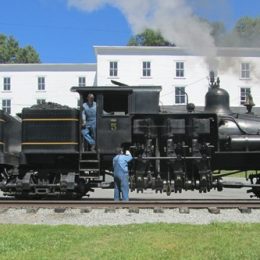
24	85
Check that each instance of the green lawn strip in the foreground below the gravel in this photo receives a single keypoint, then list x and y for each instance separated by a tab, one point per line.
148	241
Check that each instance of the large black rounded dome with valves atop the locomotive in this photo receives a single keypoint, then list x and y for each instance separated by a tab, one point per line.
217	99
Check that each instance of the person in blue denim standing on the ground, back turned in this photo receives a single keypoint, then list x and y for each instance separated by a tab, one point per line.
121	175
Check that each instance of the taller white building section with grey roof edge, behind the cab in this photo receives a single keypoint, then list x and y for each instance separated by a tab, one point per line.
175	69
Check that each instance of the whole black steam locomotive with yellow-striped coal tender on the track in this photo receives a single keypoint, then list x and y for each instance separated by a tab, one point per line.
45	155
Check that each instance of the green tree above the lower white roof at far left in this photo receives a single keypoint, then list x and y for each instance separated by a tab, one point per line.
11	52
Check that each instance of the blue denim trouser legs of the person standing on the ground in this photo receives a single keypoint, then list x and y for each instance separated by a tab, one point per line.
121	187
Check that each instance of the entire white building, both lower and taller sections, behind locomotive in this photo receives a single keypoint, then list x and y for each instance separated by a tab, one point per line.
175	69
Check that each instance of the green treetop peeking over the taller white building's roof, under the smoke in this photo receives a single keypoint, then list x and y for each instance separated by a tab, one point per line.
149	38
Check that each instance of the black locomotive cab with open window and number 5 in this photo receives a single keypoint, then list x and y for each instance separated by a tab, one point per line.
115	109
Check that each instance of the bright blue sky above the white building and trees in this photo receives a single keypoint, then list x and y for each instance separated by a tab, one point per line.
65	31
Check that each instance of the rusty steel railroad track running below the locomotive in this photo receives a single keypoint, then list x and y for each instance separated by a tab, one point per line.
140	204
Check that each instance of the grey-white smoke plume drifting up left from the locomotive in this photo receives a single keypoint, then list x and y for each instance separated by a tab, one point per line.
173	18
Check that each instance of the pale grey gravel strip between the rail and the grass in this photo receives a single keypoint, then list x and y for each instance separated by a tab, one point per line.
96	217
